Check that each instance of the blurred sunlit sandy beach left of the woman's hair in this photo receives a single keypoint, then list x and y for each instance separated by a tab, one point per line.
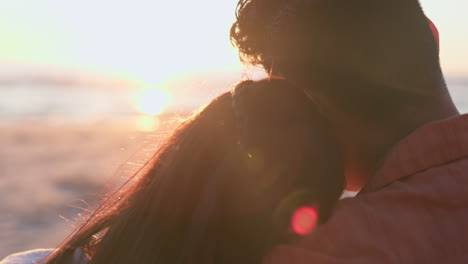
46	170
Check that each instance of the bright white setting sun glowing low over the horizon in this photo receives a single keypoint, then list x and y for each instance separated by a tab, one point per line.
152	101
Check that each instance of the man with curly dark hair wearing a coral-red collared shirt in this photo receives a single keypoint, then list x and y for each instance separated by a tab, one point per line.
372	68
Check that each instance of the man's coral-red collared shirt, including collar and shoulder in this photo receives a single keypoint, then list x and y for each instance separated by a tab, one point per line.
414	210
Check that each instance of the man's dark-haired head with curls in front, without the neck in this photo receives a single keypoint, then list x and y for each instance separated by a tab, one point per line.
356	55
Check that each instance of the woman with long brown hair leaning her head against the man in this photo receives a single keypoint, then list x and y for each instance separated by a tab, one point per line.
225	187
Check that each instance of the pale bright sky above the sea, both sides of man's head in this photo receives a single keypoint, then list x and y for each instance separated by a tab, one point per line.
150	40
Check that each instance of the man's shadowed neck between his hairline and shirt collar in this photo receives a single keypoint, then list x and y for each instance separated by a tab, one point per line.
367	143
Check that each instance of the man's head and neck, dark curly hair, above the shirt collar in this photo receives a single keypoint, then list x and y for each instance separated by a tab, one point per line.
372	67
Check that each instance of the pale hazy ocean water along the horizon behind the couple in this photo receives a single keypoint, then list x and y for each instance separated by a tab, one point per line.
60	104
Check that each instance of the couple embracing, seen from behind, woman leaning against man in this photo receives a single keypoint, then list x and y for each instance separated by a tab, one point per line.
356	100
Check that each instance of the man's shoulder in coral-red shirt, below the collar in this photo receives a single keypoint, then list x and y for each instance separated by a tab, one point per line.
400	223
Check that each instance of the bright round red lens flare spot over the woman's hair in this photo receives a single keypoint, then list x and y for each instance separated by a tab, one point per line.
304	220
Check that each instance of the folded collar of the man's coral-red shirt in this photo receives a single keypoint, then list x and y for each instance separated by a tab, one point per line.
432	145
